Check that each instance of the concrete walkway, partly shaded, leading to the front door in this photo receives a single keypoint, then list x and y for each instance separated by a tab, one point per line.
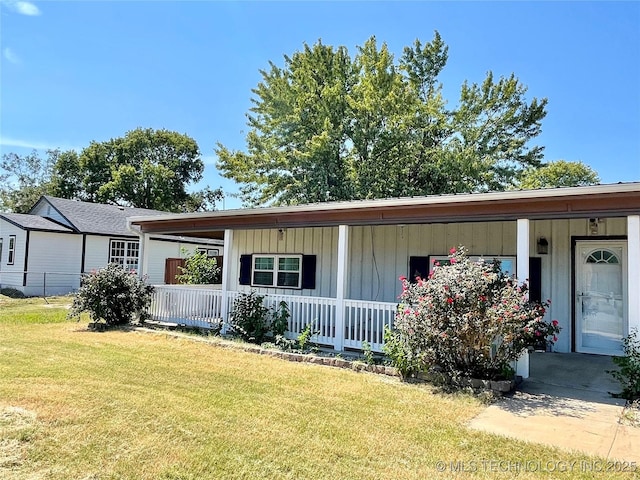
565	403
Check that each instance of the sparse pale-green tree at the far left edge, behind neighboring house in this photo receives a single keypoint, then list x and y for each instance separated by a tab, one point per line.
25	178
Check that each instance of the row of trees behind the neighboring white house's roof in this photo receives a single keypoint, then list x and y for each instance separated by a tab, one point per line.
146	168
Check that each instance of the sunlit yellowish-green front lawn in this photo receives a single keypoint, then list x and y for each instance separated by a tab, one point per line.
130	405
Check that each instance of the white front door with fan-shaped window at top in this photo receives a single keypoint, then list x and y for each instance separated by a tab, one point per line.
601	296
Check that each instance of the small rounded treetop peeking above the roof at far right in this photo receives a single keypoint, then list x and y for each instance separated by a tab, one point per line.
560	173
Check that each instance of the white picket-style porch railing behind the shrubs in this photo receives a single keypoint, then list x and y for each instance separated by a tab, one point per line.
202	307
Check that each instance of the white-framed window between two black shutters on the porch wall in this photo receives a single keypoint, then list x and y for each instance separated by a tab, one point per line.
277	271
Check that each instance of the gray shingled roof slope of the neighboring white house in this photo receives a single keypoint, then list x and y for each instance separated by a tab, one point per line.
96	217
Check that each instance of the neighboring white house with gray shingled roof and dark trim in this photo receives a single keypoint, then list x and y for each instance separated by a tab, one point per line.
59	239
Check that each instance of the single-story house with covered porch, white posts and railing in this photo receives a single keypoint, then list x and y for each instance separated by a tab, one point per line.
337	264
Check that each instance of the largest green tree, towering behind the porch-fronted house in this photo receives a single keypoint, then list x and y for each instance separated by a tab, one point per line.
327	126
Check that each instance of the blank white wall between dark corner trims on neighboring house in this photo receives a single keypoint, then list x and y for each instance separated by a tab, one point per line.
59	256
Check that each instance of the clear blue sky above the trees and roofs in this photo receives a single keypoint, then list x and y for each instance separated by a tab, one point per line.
72	72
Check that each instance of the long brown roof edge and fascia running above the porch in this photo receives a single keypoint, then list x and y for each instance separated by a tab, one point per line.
580	202
